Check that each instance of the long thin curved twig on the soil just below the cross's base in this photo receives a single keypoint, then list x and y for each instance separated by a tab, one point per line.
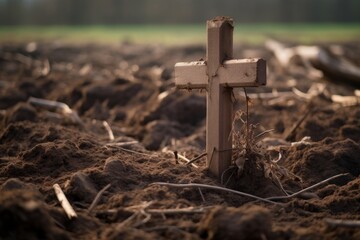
197	185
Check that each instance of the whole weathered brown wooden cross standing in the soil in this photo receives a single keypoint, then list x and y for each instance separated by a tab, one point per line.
219	74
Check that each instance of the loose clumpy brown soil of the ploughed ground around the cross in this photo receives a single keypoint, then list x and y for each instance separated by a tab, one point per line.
122	84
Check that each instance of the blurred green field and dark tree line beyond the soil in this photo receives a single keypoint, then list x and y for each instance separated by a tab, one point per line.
177	20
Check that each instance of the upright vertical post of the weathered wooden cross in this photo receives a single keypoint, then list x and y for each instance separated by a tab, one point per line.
219	111
